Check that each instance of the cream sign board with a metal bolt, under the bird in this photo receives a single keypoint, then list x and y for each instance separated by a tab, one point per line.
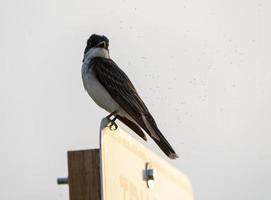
126	164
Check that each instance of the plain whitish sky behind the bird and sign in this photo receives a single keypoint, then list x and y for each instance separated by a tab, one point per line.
202	67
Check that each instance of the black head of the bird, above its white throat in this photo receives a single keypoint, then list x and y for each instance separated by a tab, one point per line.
97	41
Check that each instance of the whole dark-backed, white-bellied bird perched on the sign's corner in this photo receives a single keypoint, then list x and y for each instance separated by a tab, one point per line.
112	90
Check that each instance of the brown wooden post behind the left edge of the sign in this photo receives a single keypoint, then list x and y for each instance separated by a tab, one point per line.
84	174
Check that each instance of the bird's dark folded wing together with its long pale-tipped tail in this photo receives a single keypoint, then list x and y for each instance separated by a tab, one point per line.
116	82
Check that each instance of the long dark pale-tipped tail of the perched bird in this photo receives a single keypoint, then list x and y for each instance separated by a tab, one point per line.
158	137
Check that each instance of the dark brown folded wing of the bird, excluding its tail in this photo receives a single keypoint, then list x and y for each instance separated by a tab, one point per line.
116	82
